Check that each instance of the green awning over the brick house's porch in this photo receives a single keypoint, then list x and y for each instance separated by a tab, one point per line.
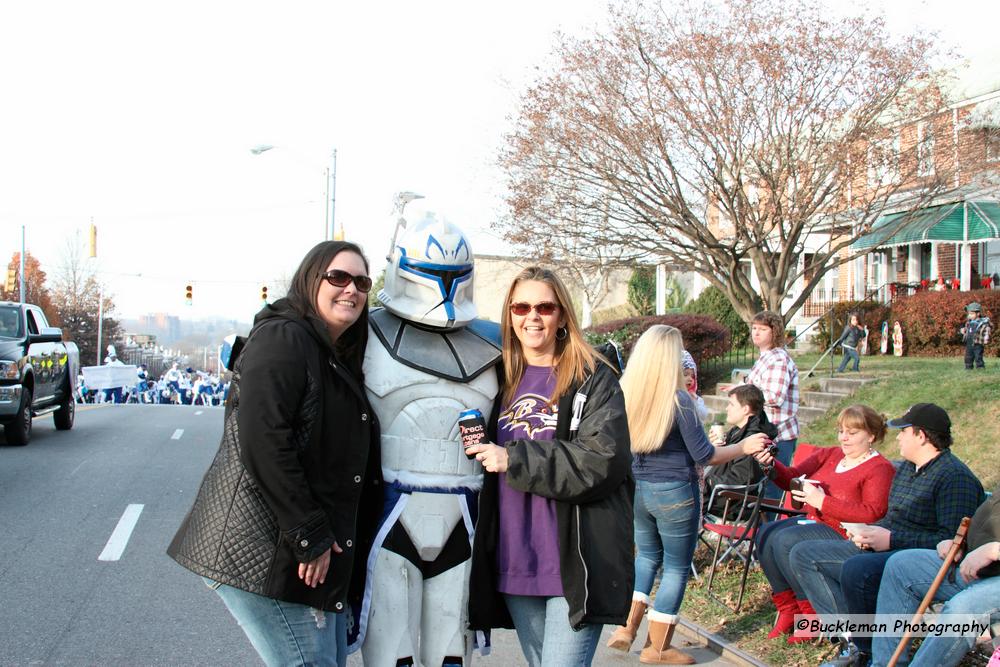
937	223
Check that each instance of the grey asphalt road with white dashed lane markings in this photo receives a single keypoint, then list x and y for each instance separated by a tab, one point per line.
61	498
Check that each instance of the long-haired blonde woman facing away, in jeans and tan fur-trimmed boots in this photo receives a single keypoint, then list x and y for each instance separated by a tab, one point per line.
668	441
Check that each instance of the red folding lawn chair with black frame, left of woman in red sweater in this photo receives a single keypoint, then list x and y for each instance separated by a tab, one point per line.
744	527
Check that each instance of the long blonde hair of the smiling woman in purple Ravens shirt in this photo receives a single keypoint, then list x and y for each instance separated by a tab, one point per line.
574	358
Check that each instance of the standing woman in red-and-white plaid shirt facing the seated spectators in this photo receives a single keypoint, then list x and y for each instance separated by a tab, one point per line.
776	375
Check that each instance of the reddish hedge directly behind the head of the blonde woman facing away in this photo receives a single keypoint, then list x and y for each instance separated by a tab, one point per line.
703	337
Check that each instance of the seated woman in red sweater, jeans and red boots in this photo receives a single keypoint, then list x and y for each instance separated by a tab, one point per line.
850	483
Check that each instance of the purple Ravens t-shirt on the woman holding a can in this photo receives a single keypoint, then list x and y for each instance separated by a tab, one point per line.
528	551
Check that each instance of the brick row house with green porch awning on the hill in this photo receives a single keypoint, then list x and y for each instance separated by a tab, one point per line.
953	242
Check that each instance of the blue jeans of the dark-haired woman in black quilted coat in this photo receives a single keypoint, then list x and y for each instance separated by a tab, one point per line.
286	633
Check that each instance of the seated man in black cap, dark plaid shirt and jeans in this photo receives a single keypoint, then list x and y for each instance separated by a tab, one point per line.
931	493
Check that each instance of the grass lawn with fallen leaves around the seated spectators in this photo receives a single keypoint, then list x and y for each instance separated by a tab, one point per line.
972	399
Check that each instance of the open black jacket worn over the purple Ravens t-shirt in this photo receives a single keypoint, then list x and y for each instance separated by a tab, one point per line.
589	474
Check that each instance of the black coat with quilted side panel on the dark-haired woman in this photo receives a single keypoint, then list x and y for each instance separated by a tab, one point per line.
297	469
